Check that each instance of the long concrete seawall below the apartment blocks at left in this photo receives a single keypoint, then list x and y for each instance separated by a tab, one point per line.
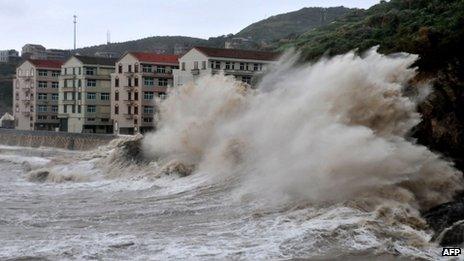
63	140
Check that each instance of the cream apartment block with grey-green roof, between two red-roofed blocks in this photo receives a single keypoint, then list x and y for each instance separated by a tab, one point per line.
84	94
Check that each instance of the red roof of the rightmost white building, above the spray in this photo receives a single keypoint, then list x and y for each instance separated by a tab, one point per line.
238	54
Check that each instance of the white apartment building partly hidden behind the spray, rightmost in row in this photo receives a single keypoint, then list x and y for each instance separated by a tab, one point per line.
244	65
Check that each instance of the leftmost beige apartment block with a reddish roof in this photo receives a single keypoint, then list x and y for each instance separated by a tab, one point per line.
35	95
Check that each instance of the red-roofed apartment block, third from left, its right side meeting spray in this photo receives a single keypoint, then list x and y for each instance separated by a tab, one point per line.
138	80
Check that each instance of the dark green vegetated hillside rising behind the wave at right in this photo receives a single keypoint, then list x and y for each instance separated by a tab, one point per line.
434	29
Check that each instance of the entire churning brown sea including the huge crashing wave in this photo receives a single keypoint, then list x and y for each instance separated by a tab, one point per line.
317	162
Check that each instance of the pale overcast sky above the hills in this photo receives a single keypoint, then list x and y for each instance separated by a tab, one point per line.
49	22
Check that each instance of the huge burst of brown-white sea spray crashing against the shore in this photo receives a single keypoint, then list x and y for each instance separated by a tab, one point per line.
329	131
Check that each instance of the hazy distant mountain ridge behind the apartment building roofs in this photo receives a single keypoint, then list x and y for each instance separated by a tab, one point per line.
259	34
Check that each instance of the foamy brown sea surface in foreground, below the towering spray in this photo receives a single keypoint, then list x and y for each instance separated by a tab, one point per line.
175	217
